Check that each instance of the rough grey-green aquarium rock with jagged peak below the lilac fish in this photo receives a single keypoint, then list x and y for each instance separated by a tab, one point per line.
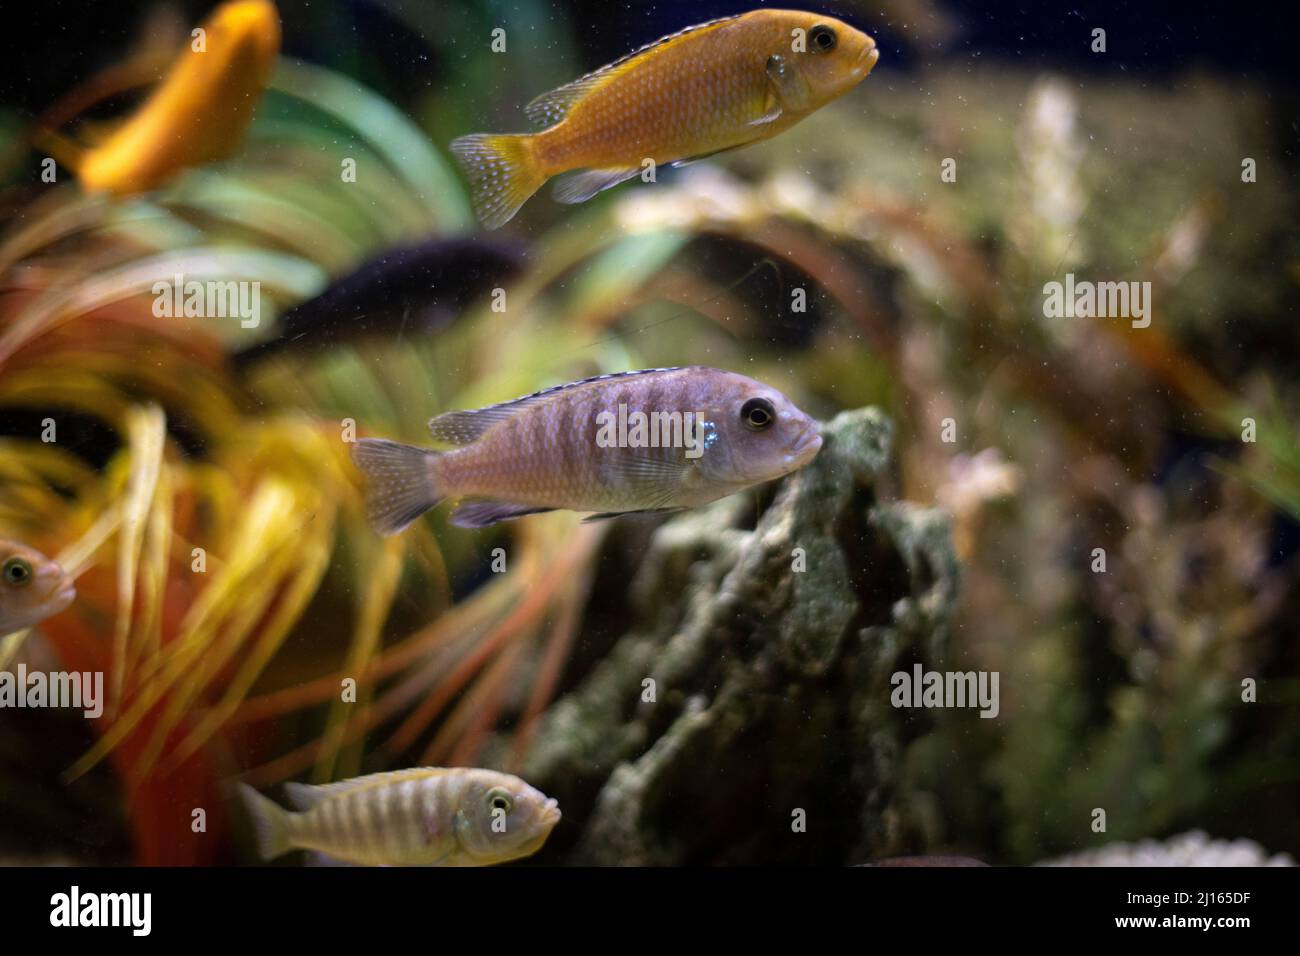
742	717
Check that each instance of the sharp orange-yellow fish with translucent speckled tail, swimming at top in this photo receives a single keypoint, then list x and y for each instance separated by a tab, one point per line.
710	88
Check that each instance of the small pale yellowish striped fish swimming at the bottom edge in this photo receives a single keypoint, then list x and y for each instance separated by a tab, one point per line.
423	817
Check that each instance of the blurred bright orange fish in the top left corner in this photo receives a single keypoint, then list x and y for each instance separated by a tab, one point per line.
198	114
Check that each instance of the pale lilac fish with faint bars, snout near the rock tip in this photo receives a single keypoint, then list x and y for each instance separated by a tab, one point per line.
652	440
